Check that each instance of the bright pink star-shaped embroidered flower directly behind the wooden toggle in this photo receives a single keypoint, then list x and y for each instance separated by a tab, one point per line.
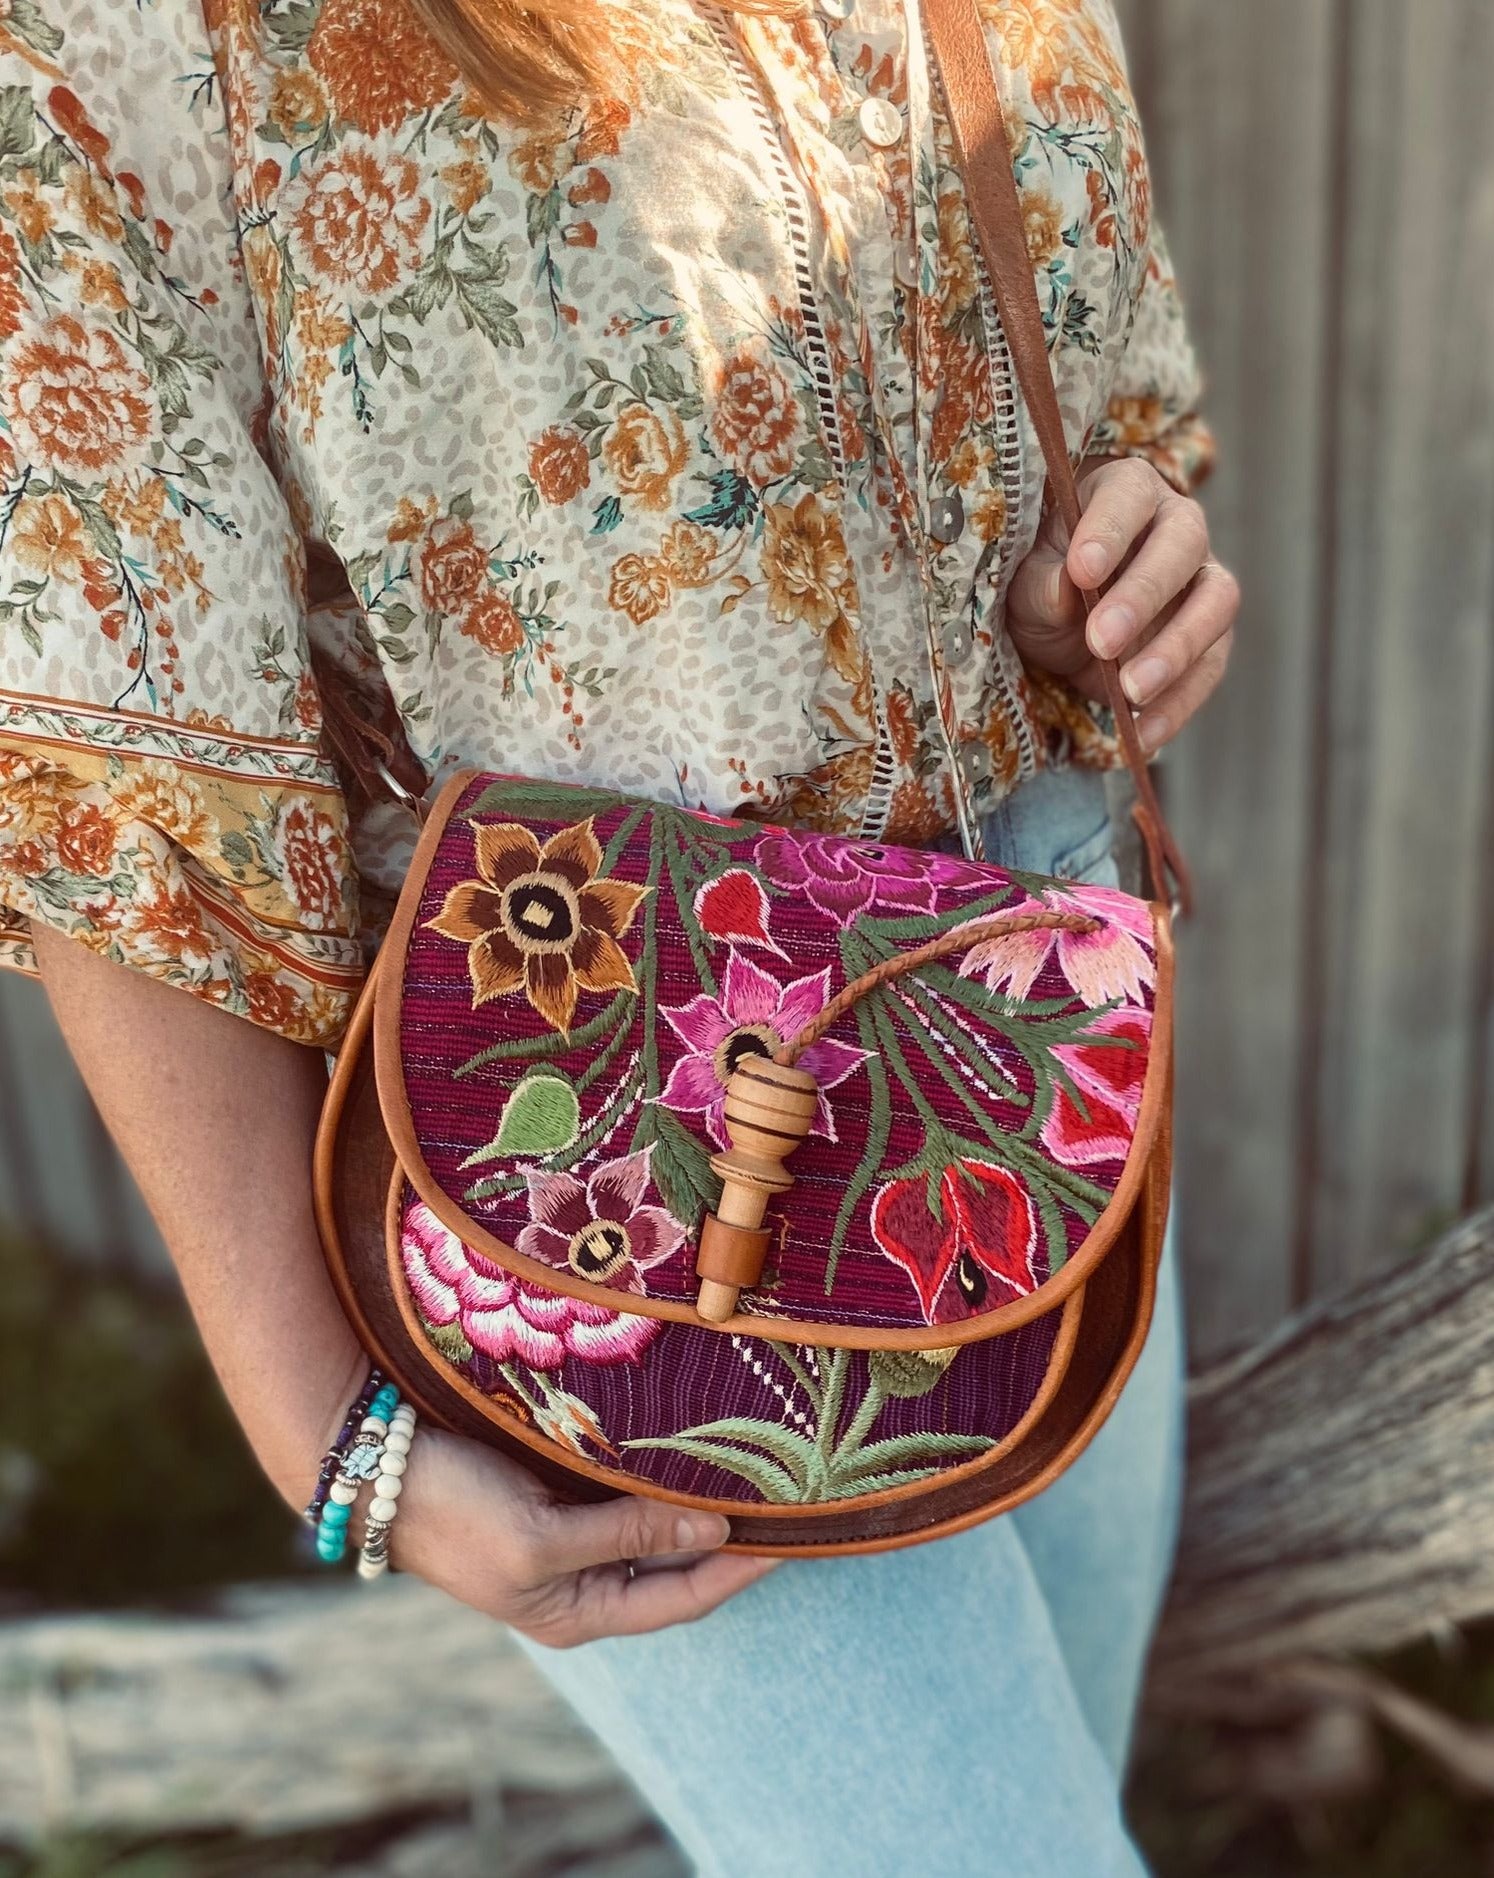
752	1017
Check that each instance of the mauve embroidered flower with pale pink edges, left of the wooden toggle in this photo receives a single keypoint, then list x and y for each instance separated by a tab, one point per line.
602	1231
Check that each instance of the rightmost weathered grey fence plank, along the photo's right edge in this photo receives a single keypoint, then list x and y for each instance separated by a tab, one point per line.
1410	716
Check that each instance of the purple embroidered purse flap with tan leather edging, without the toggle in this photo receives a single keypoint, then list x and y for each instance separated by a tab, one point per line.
573	977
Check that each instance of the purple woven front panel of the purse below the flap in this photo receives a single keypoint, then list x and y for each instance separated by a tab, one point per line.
712	1415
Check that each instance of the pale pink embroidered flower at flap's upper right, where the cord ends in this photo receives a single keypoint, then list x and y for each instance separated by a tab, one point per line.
1116	962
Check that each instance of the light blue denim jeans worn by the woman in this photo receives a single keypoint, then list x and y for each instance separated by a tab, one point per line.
960	1710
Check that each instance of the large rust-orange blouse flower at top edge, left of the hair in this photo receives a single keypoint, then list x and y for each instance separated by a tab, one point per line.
378	63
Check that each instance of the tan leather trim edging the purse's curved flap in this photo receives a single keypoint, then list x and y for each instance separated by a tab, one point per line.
395	1103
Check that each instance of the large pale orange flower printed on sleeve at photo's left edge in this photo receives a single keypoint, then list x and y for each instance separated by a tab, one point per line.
76	401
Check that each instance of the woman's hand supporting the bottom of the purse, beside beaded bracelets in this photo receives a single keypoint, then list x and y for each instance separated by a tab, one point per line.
489	1533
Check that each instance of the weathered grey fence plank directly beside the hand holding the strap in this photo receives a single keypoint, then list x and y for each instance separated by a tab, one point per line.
1240	110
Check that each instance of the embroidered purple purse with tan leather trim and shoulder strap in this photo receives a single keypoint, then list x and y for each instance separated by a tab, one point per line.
816	1182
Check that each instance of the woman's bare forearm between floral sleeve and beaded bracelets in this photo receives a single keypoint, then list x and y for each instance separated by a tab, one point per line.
215	1118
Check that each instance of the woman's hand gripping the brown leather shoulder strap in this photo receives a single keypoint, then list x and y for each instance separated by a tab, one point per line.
1170	613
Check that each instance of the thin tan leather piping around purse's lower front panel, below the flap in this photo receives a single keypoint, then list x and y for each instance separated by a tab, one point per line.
618	1479
